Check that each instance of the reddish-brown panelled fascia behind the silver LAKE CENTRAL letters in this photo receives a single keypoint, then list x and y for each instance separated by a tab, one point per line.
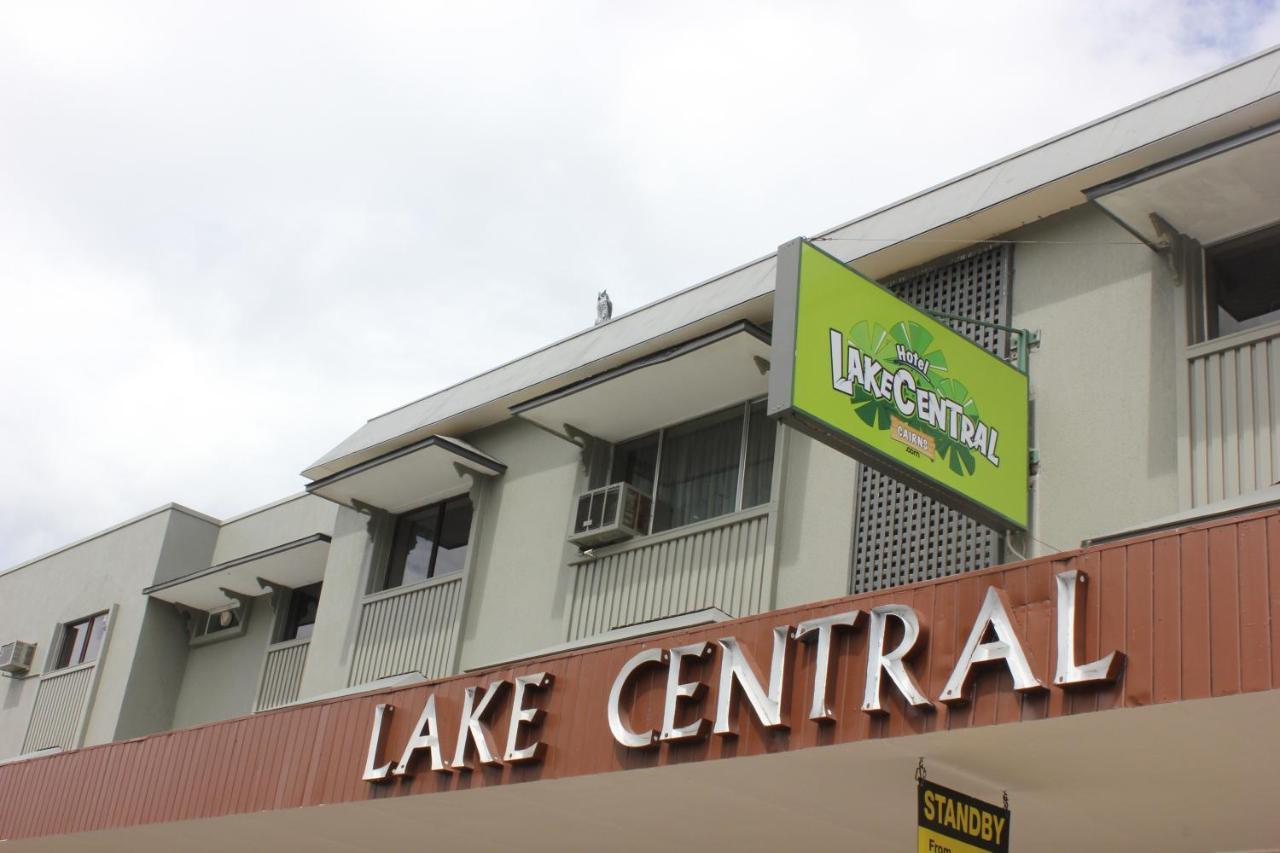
1196	612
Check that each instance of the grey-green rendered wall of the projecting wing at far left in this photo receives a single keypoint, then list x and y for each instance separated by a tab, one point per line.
89	577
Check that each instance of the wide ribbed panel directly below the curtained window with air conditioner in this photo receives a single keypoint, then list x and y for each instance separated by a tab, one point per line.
725	568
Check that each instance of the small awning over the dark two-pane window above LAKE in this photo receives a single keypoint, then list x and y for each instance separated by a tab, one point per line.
410	477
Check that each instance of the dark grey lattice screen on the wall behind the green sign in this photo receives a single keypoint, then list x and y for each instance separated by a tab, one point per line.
903	536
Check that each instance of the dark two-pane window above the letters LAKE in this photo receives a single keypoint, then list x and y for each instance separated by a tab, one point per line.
429	542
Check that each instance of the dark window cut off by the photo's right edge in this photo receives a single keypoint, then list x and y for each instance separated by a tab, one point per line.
1242	281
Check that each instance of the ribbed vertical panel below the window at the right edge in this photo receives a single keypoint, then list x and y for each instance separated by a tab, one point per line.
1235	418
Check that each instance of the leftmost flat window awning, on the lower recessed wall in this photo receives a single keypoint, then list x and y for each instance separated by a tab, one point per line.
294	564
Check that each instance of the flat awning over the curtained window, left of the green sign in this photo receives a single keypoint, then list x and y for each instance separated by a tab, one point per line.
692	380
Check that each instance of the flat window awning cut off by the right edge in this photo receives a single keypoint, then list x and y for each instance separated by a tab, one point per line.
1210	194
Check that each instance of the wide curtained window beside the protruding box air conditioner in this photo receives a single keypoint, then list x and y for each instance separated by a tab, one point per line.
703	468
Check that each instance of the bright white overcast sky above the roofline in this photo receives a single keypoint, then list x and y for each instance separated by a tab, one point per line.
232	232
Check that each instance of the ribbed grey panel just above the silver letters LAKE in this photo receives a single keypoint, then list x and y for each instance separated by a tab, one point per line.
412	632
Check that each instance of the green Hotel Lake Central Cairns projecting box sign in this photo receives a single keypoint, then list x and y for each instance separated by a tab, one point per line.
865	372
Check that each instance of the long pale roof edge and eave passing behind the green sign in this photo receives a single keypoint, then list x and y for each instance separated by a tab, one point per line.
988	203
